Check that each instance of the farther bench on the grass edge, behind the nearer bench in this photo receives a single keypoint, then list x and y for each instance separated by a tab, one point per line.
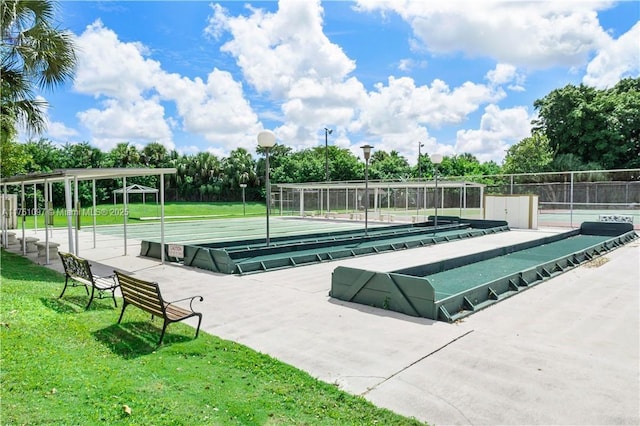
78	272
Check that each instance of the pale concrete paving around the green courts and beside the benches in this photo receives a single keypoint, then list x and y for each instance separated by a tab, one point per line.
564	352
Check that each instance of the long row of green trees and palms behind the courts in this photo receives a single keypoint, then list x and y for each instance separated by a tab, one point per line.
206	177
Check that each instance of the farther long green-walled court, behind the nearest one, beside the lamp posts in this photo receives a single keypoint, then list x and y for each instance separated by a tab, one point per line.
251	256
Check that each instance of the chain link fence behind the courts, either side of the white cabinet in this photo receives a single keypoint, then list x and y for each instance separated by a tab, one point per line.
564	199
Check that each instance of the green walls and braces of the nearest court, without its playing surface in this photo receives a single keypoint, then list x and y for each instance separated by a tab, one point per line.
413	292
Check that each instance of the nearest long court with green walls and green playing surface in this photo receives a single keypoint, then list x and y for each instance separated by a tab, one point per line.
454	288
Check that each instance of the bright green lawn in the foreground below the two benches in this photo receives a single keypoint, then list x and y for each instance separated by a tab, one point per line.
64	365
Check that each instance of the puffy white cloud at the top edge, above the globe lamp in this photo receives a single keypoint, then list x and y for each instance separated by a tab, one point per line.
275	50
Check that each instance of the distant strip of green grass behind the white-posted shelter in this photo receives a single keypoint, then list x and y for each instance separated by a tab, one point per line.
110	214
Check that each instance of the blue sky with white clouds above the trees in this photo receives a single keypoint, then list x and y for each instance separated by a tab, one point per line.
460	76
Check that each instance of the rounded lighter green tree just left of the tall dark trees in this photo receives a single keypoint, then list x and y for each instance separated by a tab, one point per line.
531	155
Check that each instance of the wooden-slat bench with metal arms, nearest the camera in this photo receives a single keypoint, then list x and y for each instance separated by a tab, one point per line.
146	296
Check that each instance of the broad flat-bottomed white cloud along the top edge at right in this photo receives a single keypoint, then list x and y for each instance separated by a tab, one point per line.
536	34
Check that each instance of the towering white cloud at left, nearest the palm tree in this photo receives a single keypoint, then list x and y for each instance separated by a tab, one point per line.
137	90
